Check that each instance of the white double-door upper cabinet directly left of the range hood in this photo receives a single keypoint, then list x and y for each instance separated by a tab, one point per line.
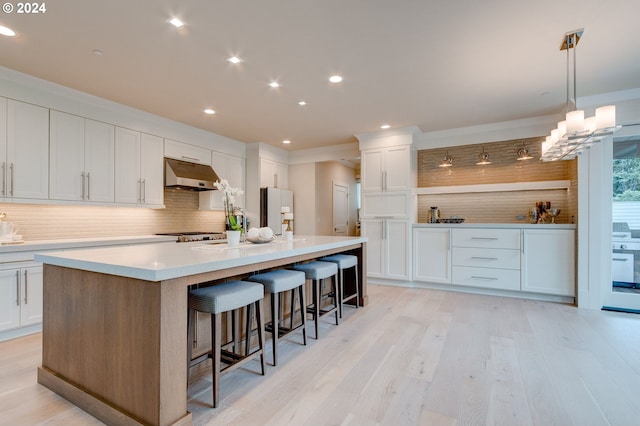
138	176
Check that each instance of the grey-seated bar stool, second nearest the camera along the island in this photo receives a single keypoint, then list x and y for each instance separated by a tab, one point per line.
276	283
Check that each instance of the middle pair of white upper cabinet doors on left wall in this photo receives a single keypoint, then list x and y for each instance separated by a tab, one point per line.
82	159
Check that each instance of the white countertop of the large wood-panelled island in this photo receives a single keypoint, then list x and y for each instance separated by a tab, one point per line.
157	262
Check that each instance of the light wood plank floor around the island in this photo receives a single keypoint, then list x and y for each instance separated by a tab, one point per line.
412	357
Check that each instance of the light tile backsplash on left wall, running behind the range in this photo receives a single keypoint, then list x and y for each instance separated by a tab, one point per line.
45	222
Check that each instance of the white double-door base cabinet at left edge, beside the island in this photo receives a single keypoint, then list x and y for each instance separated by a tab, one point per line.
20	297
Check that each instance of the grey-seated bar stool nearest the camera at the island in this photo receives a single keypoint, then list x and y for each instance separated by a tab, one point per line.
216	300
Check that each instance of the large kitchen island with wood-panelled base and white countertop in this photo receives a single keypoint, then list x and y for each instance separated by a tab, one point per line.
114	335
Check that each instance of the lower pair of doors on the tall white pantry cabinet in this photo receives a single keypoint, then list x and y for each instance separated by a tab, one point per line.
388	248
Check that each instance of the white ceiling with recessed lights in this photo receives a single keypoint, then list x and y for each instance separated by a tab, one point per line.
436	64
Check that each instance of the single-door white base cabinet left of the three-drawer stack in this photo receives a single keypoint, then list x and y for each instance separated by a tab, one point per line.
432	255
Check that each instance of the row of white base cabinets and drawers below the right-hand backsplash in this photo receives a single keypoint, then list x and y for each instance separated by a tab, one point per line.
540	261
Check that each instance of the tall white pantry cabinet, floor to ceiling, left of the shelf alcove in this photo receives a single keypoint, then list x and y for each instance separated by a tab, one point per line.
387	179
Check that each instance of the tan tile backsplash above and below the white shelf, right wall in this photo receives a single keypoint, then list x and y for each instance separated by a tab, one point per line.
494	207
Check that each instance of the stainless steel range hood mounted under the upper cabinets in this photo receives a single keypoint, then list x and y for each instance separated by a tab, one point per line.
191	176
